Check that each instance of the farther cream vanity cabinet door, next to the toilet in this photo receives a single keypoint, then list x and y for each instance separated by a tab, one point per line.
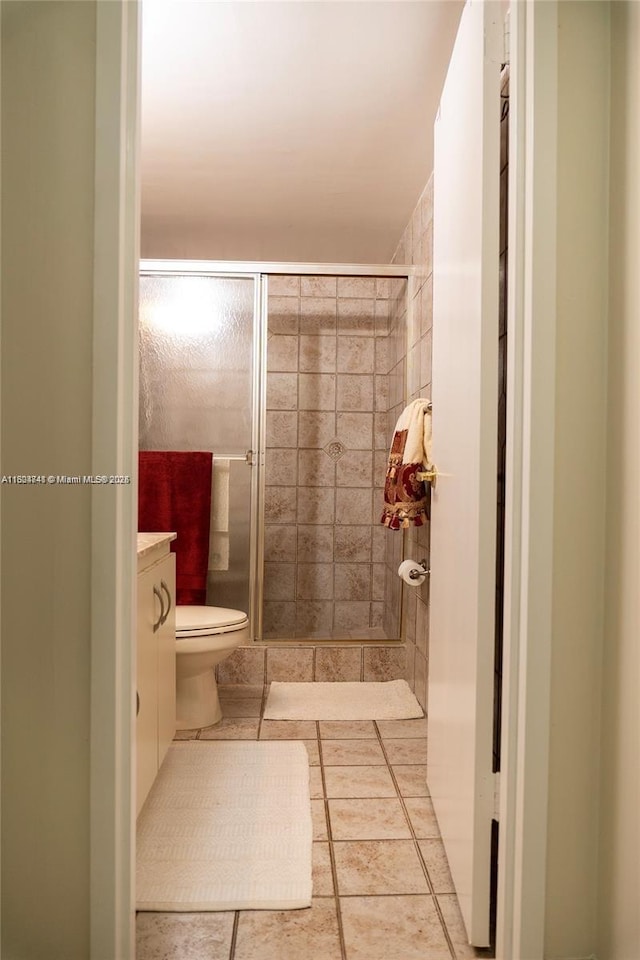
165	579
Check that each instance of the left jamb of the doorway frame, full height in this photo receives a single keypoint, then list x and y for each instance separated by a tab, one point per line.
114	518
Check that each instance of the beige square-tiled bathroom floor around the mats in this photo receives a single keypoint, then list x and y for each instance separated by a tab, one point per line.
381	883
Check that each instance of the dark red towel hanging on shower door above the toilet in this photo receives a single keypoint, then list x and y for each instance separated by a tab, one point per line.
174	495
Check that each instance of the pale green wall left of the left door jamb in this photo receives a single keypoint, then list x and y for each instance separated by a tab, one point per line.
48	121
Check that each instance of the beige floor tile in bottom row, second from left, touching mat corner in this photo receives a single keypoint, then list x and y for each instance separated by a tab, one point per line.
311	934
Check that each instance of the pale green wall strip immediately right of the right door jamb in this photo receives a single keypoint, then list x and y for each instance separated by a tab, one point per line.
580	438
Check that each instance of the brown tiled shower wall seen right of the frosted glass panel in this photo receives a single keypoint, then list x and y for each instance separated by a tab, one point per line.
329	360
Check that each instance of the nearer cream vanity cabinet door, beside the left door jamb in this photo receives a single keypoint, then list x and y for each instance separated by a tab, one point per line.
149	609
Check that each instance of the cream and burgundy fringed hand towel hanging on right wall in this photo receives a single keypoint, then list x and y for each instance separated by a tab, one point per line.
406	498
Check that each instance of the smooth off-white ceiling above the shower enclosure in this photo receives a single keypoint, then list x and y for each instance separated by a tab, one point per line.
296	131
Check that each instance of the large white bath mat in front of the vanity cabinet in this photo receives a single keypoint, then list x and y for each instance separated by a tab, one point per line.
227	826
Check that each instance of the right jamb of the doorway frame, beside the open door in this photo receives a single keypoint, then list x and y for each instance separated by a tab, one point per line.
531	318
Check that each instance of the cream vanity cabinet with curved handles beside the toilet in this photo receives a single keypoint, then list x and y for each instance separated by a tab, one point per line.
156	665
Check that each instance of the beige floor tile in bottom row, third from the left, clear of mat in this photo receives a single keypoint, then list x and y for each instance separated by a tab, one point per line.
393	928
